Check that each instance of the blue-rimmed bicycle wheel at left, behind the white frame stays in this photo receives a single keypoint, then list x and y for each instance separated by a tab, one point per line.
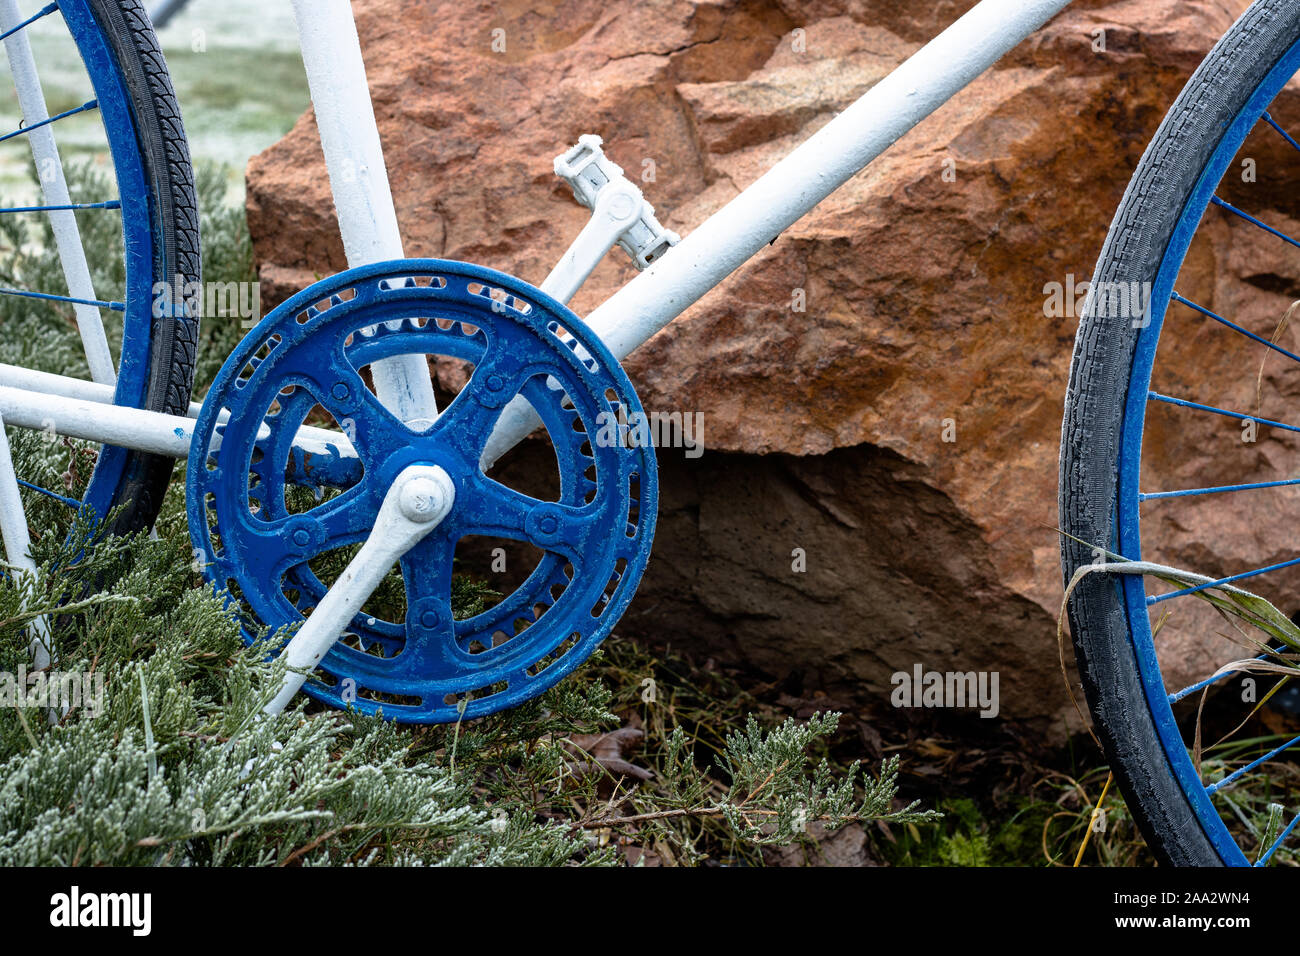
111	100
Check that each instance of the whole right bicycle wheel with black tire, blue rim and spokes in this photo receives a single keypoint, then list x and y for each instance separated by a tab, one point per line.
1198	802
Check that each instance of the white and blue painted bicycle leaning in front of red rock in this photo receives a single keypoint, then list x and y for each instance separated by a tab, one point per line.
409	479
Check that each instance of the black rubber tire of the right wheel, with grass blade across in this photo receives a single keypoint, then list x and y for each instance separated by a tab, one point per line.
1100	371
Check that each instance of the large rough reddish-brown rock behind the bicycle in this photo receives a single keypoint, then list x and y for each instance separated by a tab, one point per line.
925	297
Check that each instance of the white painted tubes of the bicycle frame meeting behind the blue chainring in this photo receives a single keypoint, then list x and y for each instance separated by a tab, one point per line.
369	223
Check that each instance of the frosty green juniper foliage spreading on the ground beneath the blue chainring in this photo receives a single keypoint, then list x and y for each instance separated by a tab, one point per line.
181	768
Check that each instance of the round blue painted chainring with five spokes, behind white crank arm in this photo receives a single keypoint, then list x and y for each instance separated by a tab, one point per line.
266	540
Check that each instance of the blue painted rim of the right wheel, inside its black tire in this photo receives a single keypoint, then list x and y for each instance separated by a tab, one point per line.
1129	525
